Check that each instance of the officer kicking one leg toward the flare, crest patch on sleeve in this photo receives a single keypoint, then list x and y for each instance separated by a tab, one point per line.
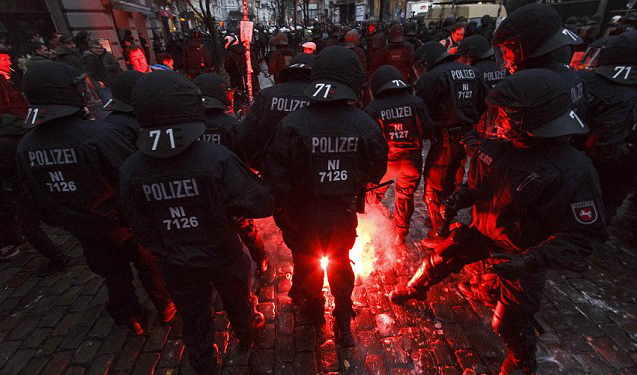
549	213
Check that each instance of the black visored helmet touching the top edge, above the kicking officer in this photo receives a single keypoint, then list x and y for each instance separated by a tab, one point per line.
531	31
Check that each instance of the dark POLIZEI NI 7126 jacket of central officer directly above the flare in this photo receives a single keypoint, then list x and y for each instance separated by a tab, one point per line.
324	151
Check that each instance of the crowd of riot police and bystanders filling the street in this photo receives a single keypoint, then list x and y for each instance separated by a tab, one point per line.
170	179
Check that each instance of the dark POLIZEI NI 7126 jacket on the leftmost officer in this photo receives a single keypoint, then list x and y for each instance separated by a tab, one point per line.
69	166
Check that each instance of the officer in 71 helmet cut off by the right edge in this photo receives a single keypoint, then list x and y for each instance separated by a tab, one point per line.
610	77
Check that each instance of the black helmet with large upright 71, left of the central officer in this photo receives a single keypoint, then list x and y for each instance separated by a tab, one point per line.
170	111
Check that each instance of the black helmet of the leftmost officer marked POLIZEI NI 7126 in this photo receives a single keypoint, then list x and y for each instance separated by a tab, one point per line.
53	90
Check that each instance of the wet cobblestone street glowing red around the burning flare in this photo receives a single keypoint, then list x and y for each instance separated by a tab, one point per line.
58	325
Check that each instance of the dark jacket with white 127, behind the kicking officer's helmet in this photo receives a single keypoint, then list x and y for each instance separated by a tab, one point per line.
454	93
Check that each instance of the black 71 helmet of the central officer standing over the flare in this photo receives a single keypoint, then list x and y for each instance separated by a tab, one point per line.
337	74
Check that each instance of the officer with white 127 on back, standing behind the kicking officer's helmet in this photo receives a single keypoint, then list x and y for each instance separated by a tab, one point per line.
454	94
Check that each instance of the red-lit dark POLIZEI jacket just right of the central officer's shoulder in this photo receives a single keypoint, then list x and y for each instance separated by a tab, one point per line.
404	120
